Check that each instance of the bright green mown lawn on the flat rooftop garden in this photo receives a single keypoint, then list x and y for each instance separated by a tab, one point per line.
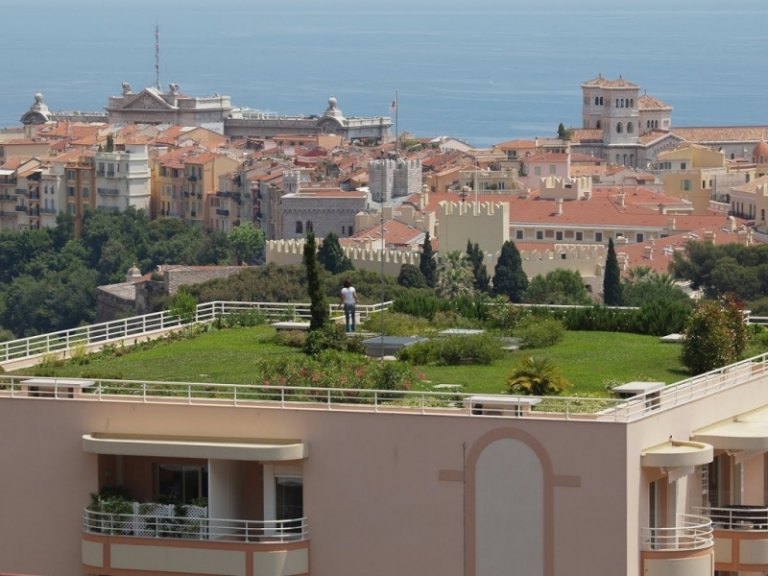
589	360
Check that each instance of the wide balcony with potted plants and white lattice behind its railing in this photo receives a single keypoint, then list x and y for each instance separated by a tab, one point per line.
158	543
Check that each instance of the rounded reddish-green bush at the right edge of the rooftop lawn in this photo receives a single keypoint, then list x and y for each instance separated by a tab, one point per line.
715	335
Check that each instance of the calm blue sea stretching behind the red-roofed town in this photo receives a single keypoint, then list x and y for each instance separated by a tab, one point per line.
483	71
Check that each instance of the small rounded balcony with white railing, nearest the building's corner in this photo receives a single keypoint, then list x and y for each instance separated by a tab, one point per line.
688	548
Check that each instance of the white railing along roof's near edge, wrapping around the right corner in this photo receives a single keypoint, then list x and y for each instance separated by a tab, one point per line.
402	401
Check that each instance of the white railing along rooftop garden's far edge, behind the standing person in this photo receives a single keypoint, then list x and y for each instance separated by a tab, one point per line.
138	326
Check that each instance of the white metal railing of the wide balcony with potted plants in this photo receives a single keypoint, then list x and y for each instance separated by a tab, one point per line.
192	528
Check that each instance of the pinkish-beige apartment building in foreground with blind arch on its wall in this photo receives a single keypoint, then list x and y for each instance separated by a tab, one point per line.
669	480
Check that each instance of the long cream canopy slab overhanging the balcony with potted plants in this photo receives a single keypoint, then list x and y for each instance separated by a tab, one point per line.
195	447
